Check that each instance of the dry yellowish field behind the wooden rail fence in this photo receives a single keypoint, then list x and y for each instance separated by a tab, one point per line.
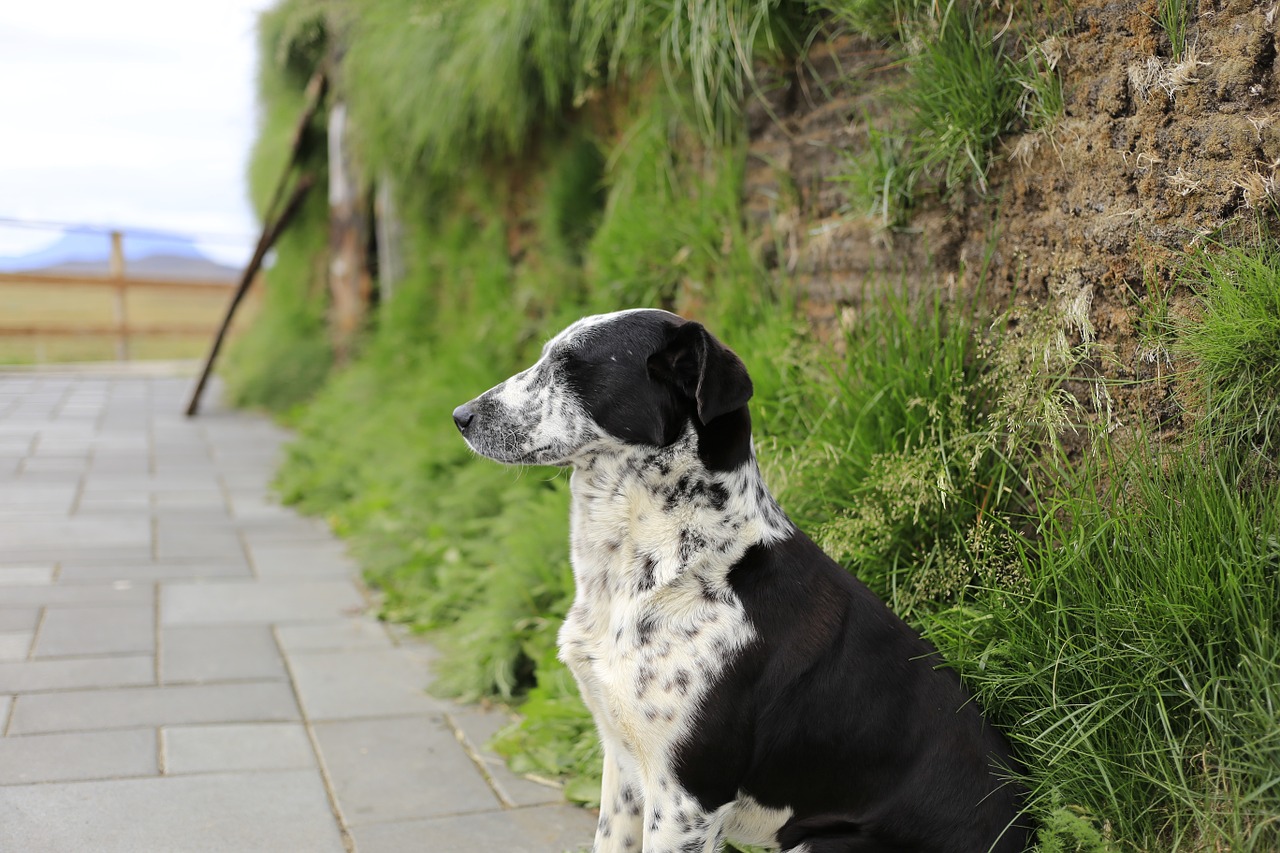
57	322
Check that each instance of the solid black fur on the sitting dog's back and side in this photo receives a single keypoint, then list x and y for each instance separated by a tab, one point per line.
839	711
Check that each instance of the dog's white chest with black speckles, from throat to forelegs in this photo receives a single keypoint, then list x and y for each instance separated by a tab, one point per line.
653	623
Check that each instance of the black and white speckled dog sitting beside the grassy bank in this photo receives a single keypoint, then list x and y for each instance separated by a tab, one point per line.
744	685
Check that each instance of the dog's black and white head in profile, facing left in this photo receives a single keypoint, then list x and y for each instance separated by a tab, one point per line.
638	378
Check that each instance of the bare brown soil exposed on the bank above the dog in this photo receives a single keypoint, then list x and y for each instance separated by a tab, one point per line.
1150	159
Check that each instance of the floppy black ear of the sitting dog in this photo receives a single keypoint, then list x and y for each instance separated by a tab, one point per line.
703	370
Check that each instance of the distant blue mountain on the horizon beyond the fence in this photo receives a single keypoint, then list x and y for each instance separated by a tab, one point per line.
147	256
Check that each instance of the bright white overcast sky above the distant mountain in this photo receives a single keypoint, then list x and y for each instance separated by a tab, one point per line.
129	115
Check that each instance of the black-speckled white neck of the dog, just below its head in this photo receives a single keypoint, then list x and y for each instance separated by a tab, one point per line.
644	517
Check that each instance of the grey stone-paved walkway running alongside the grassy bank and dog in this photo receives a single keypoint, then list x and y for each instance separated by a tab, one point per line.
188	667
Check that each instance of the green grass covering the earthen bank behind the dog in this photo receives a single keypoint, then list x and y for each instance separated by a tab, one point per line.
1113	600
